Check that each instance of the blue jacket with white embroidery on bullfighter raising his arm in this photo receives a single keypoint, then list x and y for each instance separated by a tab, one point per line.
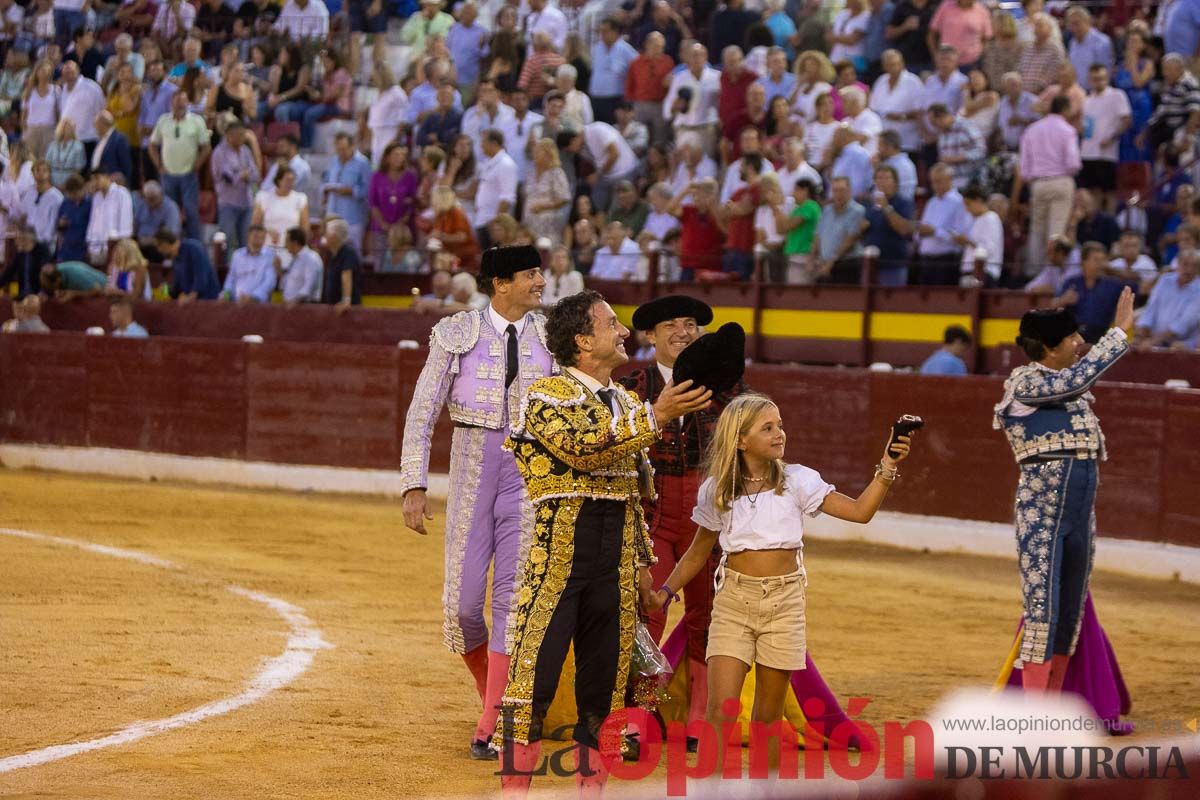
1063	422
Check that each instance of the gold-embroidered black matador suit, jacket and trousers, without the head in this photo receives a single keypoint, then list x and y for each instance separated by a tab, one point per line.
585	466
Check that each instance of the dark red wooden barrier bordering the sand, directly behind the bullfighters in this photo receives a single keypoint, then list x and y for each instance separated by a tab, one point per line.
340	405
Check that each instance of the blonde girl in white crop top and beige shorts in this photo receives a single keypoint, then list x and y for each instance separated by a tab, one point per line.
755	504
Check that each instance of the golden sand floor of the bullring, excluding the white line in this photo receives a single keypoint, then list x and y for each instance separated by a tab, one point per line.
91	645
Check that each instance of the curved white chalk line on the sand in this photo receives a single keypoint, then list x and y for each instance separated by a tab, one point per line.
304	642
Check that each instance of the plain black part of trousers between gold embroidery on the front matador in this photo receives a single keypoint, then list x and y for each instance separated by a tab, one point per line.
589	615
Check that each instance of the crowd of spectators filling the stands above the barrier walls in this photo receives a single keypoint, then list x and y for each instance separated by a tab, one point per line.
1053	146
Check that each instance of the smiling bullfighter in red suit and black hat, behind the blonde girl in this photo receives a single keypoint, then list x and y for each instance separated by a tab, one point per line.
671	324
